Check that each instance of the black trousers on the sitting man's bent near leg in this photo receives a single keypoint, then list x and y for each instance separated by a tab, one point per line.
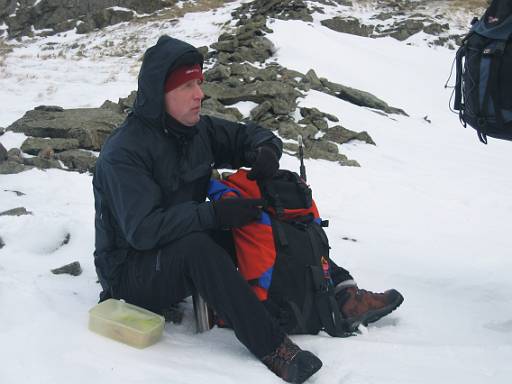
159	278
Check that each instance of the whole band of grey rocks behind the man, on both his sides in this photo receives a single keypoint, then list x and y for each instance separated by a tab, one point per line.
238	71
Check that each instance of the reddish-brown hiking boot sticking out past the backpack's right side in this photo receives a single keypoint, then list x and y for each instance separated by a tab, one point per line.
359	306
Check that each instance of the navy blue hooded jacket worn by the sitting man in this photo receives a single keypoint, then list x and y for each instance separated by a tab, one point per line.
151	177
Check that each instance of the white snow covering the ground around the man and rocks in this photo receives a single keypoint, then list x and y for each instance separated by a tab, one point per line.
429	209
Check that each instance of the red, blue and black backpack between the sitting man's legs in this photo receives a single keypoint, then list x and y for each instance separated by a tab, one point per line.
285	257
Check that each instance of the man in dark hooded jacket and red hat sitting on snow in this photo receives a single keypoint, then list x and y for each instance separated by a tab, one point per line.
155	231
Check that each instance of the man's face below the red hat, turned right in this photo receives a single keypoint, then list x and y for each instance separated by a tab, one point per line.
184	103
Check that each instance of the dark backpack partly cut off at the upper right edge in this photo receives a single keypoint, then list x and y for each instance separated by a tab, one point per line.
483	88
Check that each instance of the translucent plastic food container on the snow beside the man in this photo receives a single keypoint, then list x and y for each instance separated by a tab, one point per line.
126	323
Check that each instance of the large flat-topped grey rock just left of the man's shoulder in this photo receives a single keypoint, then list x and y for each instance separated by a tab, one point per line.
90	126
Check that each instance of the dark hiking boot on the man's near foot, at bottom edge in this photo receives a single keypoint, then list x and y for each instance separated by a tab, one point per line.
291	363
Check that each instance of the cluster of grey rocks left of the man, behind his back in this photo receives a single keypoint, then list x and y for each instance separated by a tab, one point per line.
61	138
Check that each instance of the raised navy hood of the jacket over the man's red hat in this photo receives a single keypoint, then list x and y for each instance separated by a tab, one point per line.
165	56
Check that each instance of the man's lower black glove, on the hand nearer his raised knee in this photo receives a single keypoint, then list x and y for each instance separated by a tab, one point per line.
237	212
